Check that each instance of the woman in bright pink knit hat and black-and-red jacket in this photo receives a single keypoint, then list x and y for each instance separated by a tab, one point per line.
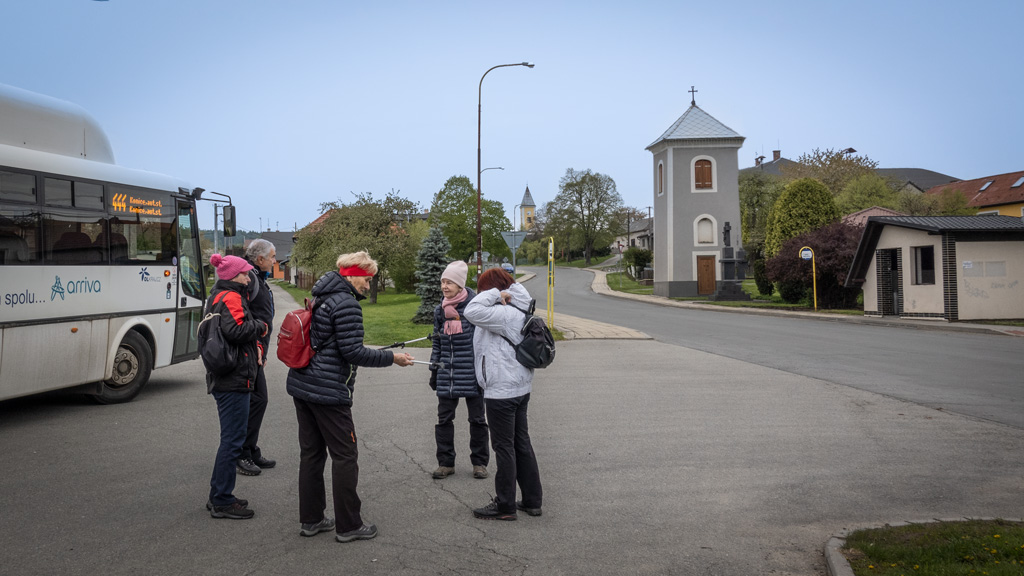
233	390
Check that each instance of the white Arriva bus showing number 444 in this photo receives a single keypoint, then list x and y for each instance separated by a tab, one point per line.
101	278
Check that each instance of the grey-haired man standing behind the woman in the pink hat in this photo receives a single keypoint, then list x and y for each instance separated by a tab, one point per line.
263	256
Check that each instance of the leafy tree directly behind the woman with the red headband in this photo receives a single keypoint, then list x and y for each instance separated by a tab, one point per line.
364	225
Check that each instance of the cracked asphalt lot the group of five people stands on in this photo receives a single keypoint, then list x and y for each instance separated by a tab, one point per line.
657	460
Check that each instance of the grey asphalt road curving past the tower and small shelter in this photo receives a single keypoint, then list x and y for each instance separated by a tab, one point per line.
980	376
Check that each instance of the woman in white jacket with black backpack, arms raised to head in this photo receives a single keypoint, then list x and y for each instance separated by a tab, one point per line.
506	387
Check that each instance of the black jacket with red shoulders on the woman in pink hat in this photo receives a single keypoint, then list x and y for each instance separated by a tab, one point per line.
240	328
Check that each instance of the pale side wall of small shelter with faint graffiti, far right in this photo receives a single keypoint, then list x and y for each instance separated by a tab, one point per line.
991	280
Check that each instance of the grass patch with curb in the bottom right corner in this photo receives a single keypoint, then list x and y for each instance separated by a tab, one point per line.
954	549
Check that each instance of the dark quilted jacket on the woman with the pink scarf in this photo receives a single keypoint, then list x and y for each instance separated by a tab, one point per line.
457	379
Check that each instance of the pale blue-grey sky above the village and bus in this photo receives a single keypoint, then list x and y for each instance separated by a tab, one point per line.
287	105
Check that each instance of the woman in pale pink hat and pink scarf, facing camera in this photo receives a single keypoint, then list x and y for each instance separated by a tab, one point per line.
453	376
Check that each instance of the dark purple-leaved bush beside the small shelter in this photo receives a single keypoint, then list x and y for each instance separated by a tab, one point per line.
835	246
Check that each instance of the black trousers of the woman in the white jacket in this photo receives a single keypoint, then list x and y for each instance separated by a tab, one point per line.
515	454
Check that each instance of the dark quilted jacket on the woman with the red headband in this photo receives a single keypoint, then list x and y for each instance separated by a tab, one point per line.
330	379
